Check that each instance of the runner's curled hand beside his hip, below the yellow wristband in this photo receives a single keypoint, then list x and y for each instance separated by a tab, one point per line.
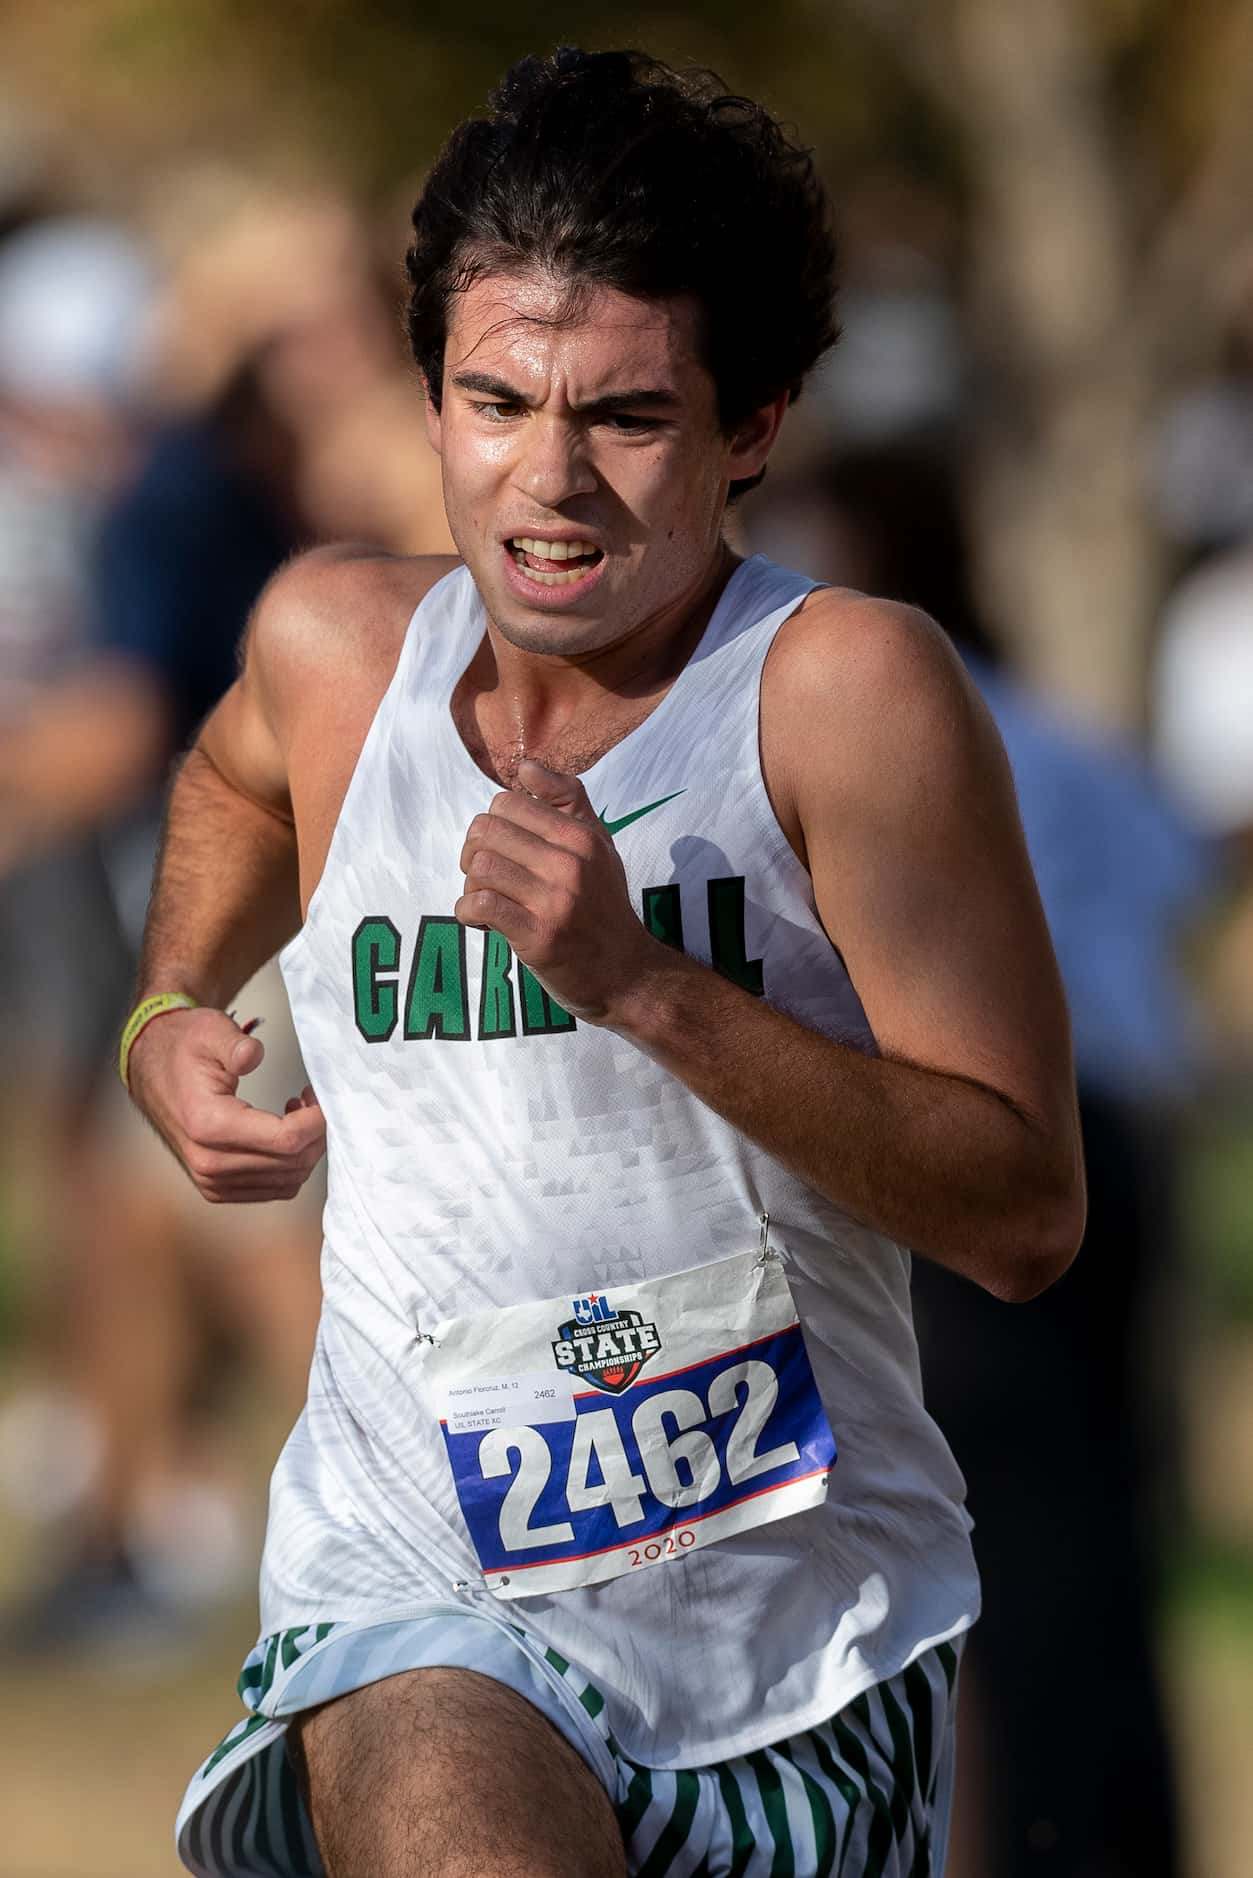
185	1071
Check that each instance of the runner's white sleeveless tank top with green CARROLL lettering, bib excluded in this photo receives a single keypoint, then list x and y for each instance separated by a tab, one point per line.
484	1150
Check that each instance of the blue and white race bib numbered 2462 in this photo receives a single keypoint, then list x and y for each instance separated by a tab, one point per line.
598	1436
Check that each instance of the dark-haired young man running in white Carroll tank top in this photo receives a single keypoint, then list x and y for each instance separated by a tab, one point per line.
585	1556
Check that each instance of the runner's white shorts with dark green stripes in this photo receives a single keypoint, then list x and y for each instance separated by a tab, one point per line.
863	1796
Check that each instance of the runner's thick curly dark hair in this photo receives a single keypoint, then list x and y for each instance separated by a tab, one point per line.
613	170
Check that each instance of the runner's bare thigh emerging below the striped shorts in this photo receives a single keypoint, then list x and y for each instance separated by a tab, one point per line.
446	1774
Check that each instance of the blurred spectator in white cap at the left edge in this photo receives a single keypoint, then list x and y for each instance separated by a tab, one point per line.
74	315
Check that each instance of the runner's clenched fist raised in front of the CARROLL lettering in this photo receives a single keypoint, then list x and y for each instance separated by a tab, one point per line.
542	870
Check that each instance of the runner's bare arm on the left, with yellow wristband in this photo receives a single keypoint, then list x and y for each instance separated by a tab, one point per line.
228	891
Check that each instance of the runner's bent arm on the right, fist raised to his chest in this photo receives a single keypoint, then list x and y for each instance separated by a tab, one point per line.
961	1139
